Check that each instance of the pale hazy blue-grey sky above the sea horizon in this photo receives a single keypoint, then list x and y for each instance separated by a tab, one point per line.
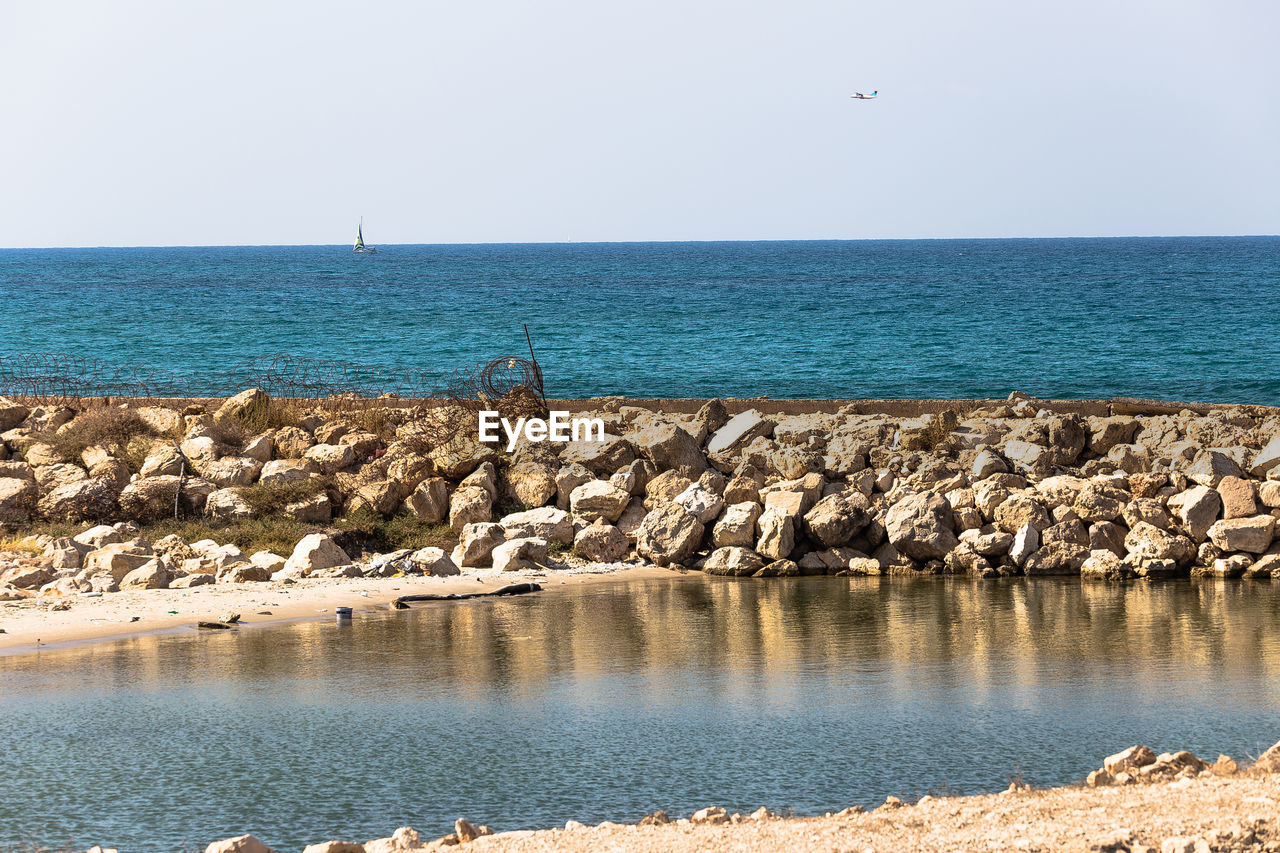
282	124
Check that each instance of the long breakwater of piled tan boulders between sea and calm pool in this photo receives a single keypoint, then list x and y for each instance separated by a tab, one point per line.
1009	490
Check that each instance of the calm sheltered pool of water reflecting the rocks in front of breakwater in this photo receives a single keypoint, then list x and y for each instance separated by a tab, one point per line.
609	701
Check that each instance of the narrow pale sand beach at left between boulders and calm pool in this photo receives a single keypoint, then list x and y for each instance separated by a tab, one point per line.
140	612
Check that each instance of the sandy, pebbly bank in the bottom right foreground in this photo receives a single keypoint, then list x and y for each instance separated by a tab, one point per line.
1206	814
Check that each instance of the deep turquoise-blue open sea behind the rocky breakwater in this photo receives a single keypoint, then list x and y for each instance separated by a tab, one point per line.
1171	318
